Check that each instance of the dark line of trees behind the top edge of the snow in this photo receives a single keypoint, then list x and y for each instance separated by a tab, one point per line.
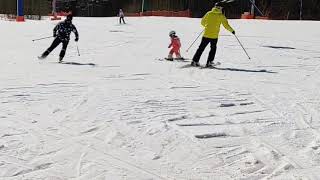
276	9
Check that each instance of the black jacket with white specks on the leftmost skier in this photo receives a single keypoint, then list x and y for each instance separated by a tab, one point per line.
63	31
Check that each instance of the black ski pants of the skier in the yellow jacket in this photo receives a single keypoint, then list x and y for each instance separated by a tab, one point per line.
204	42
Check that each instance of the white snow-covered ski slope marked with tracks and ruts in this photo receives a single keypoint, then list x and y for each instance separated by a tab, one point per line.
132	116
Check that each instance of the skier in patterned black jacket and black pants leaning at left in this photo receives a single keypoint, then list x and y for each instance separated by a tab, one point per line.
62	32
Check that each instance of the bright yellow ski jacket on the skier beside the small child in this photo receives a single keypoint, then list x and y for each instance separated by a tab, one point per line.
212	21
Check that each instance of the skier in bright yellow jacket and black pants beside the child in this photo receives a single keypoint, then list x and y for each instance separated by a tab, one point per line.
211	22
